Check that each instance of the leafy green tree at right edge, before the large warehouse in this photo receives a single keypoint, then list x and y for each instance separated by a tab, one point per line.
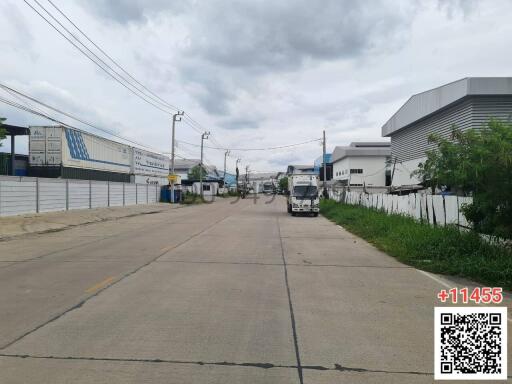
477	163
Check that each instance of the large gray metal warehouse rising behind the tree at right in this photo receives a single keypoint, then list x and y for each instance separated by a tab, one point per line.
466	103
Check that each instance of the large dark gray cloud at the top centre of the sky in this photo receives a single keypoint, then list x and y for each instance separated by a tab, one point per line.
260	35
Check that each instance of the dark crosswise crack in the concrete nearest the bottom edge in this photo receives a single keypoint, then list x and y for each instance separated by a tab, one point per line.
337	367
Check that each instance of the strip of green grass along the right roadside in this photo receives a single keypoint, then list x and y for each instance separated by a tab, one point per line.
444	250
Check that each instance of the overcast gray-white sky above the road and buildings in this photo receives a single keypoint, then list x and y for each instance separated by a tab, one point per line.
255	73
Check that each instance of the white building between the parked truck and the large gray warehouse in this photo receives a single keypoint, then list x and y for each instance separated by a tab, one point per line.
361	164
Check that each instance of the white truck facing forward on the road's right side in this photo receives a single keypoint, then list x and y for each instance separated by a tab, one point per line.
302	195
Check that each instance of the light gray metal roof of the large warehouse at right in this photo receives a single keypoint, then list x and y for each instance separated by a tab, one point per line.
426	103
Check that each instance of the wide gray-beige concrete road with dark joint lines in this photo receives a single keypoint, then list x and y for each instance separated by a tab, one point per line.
219	293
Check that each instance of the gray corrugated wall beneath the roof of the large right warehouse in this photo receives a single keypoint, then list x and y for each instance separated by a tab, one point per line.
474	112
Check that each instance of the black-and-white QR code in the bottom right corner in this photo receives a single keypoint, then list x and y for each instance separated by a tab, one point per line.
470	343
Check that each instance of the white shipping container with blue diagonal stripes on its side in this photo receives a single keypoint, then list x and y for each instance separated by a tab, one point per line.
71	148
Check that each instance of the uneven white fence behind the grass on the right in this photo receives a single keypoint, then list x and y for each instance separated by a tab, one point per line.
434	209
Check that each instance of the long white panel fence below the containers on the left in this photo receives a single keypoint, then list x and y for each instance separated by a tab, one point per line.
21	195
